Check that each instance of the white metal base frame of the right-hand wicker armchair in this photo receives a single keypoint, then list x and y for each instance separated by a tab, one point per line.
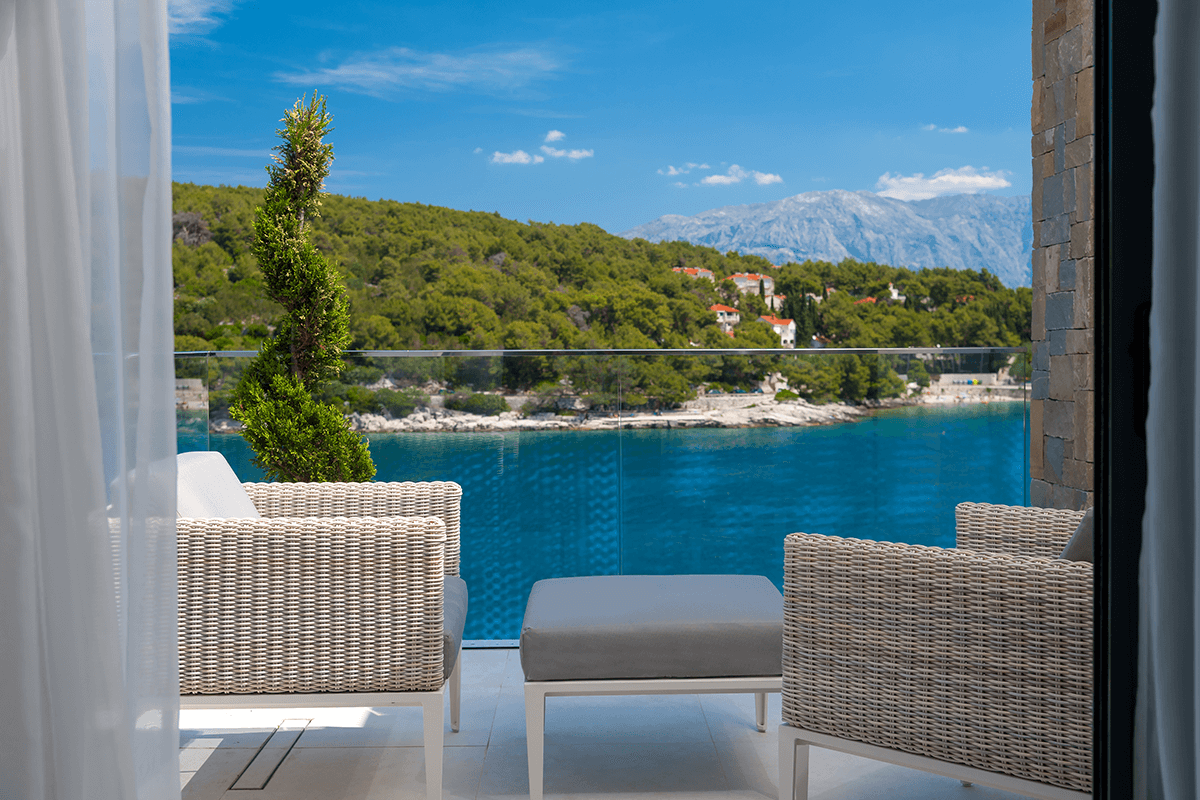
794	767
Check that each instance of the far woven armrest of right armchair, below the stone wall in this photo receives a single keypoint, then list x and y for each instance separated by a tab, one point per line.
1018	531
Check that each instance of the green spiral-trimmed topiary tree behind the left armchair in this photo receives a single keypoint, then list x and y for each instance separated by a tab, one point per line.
295	437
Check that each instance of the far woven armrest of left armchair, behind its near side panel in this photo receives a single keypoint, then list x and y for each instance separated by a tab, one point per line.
441	500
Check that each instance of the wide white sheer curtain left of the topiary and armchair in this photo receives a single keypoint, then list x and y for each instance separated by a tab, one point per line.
89	689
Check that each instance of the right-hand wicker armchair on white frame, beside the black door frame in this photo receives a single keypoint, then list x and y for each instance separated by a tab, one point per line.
975	663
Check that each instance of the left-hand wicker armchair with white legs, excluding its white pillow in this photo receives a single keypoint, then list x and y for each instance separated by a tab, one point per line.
337	597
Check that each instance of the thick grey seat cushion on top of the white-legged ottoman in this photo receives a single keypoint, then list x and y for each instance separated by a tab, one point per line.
653	627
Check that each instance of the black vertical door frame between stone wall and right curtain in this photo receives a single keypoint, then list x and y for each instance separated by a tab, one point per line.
1125	183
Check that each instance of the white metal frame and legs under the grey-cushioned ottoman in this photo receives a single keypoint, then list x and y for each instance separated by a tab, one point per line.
539	690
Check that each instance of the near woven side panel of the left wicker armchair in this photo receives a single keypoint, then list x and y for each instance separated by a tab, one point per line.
310	605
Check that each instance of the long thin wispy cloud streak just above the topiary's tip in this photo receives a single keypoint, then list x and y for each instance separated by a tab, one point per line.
399	68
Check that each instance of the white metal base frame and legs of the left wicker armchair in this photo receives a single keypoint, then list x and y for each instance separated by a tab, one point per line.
433	713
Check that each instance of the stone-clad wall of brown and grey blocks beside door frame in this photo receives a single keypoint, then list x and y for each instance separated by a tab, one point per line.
1061	412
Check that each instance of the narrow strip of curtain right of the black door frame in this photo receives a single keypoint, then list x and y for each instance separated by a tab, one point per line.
1168	757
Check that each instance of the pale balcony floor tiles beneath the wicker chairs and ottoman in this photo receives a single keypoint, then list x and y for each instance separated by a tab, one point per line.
662	748
